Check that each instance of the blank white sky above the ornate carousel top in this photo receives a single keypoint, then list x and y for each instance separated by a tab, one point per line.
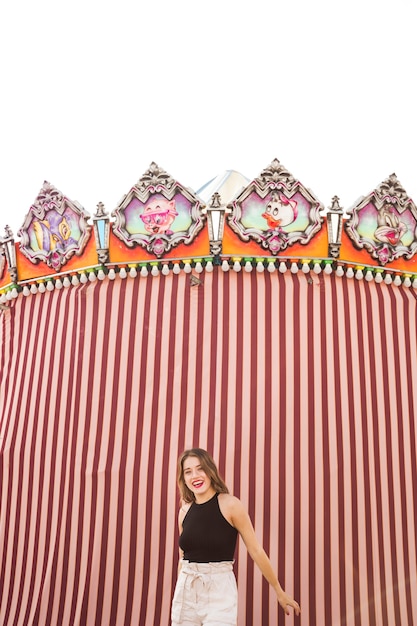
92	92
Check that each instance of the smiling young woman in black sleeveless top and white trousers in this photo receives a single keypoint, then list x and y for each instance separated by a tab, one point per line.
209	521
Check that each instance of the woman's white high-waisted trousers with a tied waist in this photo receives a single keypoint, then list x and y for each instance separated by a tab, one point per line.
205	595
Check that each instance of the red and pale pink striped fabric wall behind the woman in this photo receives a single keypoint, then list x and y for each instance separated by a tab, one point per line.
301	386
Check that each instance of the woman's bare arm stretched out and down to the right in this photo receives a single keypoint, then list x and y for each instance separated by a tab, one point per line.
239	518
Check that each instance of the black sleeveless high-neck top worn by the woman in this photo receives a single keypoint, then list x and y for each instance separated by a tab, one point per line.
207	536
